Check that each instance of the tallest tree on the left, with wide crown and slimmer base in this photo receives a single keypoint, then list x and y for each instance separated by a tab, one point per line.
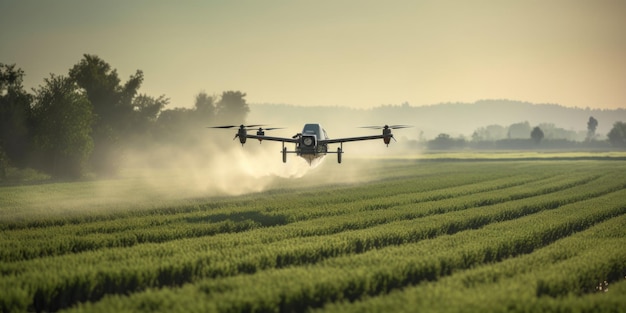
112	106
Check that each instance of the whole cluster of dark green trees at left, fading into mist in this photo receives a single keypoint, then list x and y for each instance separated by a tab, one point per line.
81	123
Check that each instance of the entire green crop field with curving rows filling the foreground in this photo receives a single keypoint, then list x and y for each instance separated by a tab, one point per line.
397	235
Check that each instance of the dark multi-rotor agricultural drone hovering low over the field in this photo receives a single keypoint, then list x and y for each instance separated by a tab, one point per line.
312	143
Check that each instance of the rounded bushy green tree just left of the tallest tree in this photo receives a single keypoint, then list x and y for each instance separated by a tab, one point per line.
62	118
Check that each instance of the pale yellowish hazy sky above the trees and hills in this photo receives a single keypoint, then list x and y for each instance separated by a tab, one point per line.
353	53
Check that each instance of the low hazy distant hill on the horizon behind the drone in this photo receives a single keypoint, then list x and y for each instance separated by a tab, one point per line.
455	119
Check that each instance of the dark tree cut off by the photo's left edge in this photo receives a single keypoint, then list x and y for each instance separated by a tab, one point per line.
14	116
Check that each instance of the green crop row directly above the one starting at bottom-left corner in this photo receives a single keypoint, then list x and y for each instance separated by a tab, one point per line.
28	244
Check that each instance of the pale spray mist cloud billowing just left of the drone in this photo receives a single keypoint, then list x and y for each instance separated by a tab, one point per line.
214	168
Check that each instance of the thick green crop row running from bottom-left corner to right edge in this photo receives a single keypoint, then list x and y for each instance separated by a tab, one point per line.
51	279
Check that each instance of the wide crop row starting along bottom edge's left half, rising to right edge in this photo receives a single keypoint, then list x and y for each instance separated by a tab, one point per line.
379	271
